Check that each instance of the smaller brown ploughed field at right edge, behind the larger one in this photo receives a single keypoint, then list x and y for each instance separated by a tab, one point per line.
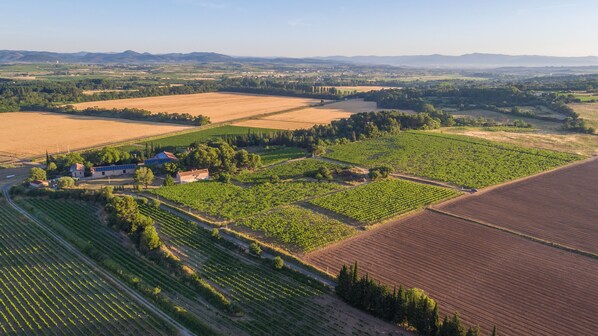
560	206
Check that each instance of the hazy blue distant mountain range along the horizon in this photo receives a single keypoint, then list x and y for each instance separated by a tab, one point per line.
423	61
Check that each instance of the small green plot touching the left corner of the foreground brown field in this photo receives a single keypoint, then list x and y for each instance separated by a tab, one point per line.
296	228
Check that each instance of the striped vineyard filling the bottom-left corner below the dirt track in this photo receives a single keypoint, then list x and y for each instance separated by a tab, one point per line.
45	290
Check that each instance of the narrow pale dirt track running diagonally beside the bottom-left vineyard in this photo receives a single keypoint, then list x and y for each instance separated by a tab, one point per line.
90	263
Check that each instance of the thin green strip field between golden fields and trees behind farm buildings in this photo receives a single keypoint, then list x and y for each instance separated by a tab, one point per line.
185	139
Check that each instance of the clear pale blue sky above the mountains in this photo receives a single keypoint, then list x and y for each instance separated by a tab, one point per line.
302	28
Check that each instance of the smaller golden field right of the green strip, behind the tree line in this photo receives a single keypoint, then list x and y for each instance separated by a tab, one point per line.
308	117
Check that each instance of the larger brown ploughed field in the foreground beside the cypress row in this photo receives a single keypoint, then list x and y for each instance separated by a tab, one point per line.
490	277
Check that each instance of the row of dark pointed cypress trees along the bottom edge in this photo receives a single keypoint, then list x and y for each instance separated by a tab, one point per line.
412	307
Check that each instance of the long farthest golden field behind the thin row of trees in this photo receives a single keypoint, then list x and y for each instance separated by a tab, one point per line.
219	106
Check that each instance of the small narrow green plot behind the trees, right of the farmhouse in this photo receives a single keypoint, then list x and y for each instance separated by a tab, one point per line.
288	170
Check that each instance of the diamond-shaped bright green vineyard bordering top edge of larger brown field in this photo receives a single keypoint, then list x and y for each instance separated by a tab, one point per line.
376	201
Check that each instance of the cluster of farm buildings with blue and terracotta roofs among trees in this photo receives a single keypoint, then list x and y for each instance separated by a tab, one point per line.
77	170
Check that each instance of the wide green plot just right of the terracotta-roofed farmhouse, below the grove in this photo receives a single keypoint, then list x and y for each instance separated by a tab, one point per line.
229	201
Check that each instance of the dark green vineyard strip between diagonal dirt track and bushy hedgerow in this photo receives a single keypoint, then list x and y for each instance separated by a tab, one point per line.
78	223
